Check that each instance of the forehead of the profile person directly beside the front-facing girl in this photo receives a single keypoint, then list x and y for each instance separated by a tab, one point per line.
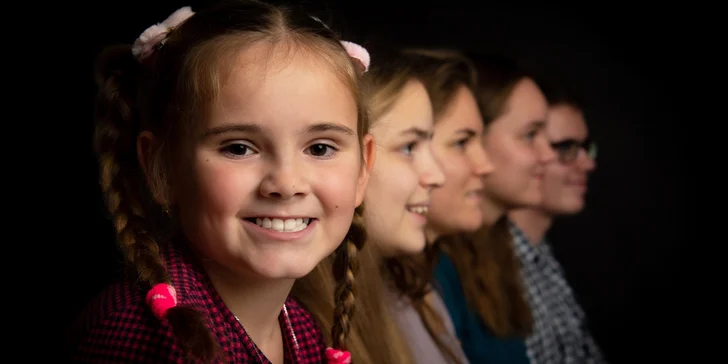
412	109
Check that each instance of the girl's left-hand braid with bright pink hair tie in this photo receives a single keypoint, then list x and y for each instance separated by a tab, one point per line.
123	184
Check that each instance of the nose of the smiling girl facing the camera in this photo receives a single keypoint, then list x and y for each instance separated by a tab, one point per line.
284	180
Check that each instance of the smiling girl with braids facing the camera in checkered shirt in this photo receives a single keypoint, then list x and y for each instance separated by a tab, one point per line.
233	154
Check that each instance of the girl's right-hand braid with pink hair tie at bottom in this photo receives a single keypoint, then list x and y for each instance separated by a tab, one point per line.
345	268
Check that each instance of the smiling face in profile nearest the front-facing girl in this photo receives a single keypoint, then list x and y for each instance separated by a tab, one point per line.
404	174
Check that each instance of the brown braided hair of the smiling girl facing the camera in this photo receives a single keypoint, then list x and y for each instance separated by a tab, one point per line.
166	94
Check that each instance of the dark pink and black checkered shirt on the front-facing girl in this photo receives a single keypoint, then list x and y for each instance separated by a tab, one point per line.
118	327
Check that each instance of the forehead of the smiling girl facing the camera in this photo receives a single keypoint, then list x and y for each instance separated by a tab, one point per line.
279	82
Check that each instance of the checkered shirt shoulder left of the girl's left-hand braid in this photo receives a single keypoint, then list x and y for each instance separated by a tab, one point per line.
116	326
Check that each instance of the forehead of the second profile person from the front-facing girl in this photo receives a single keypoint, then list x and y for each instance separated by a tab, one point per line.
462	113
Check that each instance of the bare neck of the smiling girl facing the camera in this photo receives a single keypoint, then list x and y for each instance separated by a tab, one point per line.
255	301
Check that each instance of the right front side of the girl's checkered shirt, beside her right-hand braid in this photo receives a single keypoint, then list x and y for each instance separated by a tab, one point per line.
309	335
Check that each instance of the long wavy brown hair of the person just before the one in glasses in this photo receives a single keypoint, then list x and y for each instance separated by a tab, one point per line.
486	262
